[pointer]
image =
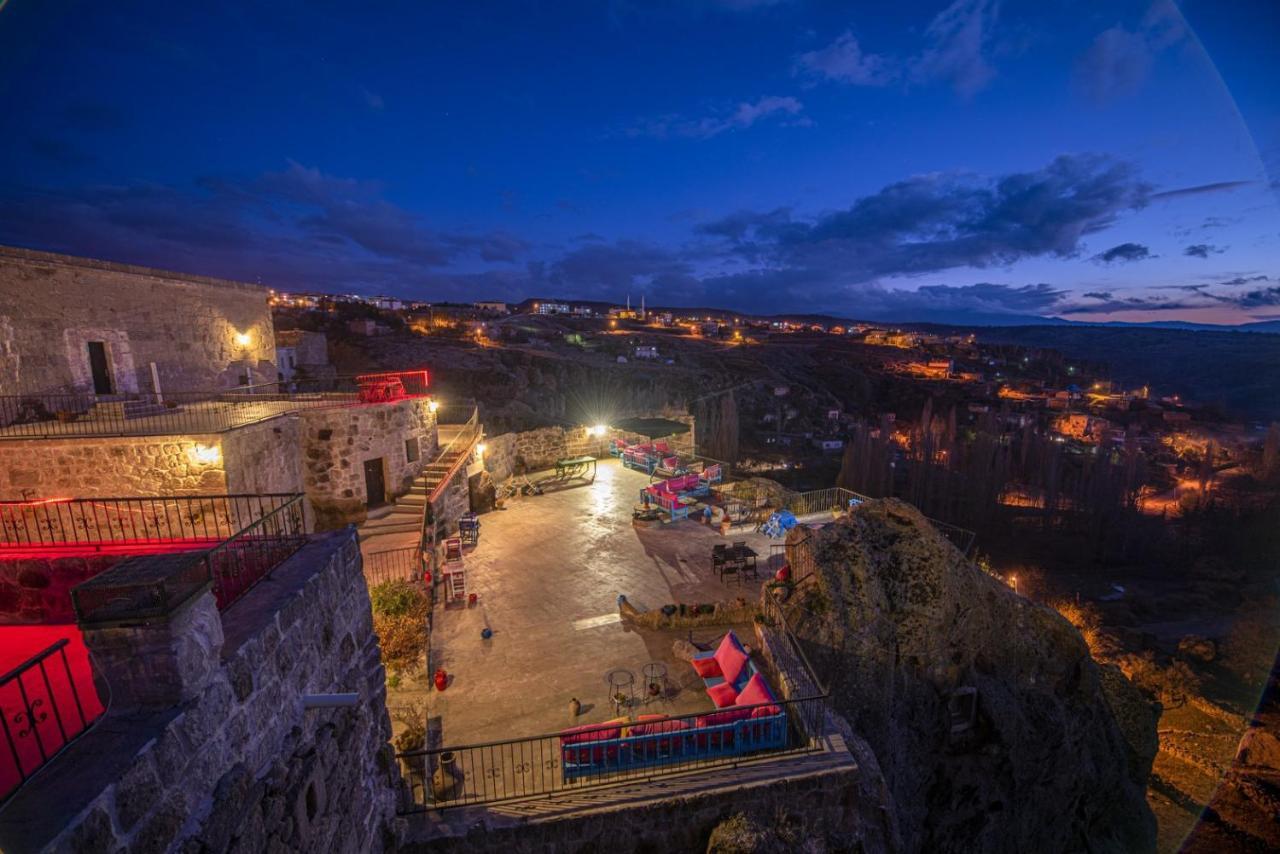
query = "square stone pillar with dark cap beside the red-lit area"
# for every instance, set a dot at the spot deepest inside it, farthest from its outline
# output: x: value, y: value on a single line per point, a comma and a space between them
x: 153, y: 629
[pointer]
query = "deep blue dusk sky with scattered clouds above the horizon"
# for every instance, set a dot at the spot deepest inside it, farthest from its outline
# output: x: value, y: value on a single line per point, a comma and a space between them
x: 1057, y: 158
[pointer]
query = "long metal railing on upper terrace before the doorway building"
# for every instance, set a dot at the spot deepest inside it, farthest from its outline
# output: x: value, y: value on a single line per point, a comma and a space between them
x: 44, y: 415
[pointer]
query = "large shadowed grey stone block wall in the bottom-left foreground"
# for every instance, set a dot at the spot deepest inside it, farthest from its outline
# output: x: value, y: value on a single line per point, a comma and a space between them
x: 240, y: 766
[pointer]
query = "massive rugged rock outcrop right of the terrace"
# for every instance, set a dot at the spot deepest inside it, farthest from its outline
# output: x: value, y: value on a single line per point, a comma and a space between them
x: 993, y: 724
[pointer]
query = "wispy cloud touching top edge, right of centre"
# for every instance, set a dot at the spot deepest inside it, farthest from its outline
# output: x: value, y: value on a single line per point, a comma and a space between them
x: 959, y: 38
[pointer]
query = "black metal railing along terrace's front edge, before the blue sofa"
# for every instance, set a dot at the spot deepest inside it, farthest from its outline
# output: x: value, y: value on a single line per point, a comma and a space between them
x: 546, y: 765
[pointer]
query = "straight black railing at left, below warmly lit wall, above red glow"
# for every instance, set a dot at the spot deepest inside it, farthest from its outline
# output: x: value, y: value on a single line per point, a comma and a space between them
x: 102, y: 523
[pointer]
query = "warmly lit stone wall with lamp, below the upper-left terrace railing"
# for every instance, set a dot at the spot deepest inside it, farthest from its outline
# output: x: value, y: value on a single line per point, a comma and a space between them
x: 109, y: 468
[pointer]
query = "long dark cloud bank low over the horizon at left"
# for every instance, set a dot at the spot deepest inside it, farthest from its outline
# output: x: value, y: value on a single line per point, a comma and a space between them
x: 299, y: 227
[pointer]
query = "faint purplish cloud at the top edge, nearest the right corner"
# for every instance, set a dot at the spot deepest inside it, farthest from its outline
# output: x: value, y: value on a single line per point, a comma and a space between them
x: 1119, y: 62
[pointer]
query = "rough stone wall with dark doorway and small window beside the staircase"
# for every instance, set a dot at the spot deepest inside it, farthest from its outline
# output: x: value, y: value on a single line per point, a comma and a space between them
x: 337, y: 442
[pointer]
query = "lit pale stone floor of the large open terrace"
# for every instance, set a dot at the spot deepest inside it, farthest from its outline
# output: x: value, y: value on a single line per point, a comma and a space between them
x: 548, y: 573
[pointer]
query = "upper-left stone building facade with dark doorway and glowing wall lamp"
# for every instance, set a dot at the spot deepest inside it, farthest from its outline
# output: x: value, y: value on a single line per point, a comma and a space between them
x: 53, y: 305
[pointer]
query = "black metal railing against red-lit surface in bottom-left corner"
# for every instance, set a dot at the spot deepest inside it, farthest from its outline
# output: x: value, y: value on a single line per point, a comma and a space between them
x: 44, y: 710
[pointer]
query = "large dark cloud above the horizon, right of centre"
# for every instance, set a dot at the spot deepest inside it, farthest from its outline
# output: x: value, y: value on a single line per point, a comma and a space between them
x: 941, y: 221
